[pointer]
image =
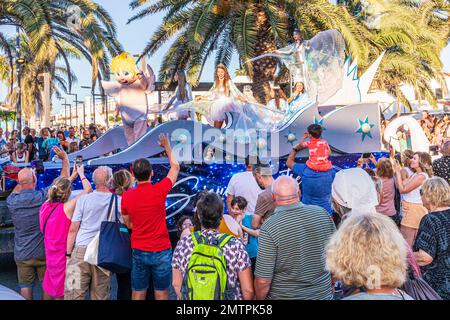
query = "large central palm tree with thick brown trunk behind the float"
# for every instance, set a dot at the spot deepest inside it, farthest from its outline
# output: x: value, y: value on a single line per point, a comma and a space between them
x: 250, y: 28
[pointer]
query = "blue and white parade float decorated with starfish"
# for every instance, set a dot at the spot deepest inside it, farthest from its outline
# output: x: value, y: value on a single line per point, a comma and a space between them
x: 338, y: 101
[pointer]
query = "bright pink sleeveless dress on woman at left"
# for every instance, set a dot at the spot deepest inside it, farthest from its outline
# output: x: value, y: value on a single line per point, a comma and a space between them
x: 55, y: 241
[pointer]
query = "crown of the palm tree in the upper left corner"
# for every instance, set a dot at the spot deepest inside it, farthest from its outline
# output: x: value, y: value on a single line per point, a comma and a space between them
x: 55, y: 29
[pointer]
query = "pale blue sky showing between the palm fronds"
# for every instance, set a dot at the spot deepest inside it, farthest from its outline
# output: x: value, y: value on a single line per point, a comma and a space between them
x: 134, y: 37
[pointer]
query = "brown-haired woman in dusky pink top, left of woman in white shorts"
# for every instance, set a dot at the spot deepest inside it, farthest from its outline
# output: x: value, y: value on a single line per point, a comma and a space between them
x: 385, y: 172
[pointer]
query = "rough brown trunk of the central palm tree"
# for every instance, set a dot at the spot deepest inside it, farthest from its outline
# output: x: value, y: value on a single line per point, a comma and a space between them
x: 263, y: 69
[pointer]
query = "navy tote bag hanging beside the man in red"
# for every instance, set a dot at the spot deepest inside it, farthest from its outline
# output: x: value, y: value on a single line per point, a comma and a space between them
x: 114, y: 245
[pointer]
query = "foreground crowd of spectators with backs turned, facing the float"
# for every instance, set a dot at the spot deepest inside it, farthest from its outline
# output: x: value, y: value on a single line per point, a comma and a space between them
x: 341, y: 234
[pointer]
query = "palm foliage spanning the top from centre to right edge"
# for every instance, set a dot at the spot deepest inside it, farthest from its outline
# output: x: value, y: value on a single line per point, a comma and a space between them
x: 412, y: 33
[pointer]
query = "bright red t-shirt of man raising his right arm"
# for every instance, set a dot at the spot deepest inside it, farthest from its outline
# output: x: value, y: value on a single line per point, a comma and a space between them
x: 146, y: 207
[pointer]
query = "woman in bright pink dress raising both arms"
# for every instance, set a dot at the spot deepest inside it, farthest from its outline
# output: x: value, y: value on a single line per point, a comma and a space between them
x: 55, y: 217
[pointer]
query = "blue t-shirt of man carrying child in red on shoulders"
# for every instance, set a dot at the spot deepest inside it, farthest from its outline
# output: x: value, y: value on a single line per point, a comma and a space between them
x: 316, y: 186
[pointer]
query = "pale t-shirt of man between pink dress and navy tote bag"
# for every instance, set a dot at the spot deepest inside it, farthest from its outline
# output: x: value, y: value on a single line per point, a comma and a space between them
x: 91, y: 210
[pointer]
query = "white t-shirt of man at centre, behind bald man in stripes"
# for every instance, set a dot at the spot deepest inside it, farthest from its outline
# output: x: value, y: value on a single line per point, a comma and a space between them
x: 243, y: 184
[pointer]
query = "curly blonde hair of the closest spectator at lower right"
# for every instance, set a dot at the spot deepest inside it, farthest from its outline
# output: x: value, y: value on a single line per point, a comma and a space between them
x: 368, y: 251
